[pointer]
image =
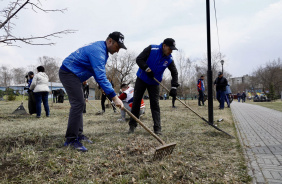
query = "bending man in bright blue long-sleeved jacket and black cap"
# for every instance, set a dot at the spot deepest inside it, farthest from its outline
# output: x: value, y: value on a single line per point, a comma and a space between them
x: 85, y: 62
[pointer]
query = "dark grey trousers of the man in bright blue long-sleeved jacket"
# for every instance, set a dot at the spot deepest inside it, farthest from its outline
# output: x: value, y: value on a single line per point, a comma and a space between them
x: 73, y: 87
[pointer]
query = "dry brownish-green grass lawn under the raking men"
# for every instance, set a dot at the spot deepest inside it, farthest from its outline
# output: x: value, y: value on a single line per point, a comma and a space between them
x: 31, y: 149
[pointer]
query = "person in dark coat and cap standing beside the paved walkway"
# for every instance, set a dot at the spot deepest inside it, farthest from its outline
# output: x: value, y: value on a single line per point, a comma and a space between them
x: 221, y: 83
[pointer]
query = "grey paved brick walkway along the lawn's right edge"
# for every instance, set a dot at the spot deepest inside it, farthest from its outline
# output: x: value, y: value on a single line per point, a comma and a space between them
x: 260, y: 132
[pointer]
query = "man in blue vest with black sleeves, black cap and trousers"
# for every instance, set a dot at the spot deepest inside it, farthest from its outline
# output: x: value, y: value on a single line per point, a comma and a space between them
x: 152, y: 63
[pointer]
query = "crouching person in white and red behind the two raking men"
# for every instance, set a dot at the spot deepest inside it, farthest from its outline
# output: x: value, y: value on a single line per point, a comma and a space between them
x: 127, y: 98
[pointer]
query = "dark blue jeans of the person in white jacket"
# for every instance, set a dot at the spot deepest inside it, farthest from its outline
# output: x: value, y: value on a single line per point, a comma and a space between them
x: 41, y: 96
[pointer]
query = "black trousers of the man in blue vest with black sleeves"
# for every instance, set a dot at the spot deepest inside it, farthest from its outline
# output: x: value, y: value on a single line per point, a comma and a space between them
x: 139, y: 90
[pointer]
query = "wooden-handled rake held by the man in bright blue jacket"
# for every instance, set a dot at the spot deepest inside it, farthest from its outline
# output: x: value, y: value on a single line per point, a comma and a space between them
x: 161, y: 151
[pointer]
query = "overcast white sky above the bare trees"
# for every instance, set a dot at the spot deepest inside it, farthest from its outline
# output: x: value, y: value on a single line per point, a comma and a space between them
x: 250, y: 31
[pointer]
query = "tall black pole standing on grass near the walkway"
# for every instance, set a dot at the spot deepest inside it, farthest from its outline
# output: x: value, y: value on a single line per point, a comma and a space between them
x: 209, y: 72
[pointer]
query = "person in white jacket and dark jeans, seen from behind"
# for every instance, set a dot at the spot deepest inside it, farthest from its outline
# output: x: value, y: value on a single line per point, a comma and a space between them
x: 41, y: 90
